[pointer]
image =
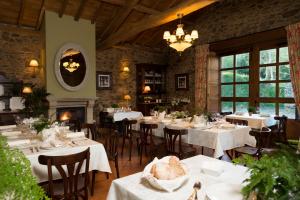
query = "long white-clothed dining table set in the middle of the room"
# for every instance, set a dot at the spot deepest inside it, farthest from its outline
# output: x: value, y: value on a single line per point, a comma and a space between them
x: 219, y: 136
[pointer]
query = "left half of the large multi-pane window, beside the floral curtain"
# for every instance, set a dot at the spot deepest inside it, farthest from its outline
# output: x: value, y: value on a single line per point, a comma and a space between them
x: 235, y: 82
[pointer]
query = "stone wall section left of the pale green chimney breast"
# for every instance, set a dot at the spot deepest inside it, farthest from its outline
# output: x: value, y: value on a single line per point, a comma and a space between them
x: 18, y: 47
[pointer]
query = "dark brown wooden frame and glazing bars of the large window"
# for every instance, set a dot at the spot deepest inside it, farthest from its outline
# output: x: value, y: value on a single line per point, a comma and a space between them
x: 254, y: 78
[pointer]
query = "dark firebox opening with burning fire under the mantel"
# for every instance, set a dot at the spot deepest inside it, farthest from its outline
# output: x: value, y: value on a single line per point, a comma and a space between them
x: 71, y: 113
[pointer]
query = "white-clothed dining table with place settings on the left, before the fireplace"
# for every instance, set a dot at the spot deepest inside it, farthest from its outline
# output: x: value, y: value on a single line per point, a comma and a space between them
x: 32, y: 145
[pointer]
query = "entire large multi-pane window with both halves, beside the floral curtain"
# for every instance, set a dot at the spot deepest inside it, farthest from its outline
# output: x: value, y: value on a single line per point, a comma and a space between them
x: 264, y: 82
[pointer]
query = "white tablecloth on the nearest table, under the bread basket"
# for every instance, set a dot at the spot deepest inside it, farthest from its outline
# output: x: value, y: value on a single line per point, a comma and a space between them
x: 133, y: 188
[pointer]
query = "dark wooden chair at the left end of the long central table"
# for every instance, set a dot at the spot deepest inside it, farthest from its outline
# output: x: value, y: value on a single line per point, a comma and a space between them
x: 145, y: 133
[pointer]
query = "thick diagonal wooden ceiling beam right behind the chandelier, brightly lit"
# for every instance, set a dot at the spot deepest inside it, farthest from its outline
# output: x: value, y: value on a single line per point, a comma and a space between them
x: 125, y: 32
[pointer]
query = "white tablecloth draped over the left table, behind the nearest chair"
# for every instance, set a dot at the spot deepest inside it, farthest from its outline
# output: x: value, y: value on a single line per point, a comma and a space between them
x: 98, y: 158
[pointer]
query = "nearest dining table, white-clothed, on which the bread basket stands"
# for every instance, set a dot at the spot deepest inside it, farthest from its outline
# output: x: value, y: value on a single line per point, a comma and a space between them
x: 225, y: 185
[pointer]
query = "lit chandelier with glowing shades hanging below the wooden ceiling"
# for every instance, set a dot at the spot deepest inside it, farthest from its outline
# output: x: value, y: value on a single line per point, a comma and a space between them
x: 179, y: 40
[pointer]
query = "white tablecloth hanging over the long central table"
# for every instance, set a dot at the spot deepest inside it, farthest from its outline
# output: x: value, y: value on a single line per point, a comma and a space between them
x: 215, y: 138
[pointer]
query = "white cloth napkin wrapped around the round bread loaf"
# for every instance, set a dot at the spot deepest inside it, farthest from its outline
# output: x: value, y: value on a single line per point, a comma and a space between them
x: 167, y: 185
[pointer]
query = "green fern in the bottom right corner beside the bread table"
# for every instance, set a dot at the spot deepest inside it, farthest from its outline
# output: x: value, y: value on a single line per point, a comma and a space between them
x: 275, y: 176
